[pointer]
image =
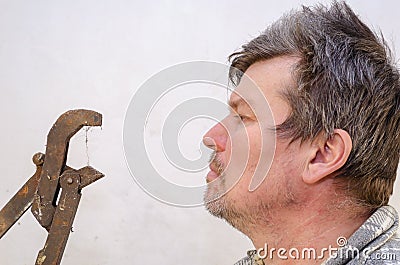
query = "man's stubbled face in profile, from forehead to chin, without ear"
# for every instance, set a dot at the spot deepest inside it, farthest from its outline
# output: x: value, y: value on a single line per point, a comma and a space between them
x: 244, y: 144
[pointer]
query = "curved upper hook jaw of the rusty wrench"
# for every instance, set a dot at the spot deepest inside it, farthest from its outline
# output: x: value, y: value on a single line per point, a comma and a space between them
x: 67, y: 125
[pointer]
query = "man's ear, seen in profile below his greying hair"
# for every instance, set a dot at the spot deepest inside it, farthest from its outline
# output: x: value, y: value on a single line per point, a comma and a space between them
x: 327, y: 155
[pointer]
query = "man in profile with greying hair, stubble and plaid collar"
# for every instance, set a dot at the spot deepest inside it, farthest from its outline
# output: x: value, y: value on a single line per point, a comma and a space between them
x: 334, y: 95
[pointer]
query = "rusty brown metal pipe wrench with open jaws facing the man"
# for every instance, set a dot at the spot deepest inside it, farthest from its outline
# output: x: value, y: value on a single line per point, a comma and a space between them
x: 42, y: 189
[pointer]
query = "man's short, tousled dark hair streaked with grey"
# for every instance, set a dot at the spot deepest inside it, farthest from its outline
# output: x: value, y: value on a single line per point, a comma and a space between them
x: 346, y: 79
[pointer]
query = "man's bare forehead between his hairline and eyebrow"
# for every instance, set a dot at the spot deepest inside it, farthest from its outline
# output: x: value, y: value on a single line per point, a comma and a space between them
x: 265, y: 79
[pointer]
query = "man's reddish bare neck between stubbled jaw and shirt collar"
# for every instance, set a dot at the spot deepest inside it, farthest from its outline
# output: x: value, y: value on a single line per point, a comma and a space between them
x: 311, y: 226
